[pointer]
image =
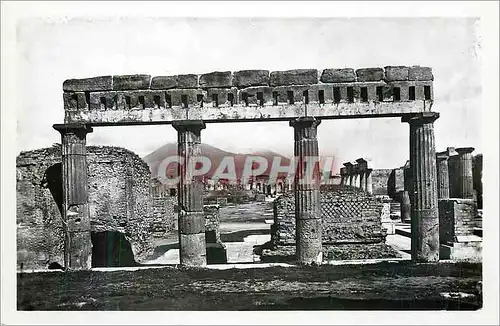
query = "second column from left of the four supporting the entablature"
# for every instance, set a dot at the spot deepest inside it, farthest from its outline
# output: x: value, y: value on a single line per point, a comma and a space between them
x: 190, y: 199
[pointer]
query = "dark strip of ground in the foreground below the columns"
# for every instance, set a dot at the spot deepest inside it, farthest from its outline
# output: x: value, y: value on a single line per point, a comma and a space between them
x: 383, y: 286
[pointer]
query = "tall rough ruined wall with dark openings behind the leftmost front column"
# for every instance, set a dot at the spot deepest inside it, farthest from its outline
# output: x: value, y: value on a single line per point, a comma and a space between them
x: 119, y: 200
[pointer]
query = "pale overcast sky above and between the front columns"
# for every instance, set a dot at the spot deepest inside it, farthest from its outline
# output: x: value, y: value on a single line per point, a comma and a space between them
x: 51, y: 51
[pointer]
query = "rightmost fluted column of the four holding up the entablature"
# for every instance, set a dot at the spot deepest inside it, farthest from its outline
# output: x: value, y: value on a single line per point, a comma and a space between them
x: 424, y: 209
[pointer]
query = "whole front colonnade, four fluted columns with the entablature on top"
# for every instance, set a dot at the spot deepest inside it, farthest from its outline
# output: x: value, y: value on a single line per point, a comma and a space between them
x: 302, y: 97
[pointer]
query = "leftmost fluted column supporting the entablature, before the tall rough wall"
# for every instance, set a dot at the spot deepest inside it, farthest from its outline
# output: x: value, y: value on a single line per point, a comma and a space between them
x: 75, y: 205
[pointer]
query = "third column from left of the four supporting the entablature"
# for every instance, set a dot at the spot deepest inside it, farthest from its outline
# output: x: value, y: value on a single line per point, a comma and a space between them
x: 307, y: 202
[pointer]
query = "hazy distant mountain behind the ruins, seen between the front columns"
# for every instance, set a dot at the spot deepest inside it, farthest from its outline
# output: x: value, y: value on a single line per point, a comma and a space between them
x: 215, y: 155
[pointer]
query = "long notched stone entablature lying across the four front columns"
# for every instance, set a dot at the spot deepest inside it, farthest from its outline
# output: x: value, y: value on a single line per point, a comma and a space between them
x: 249, y: 95
